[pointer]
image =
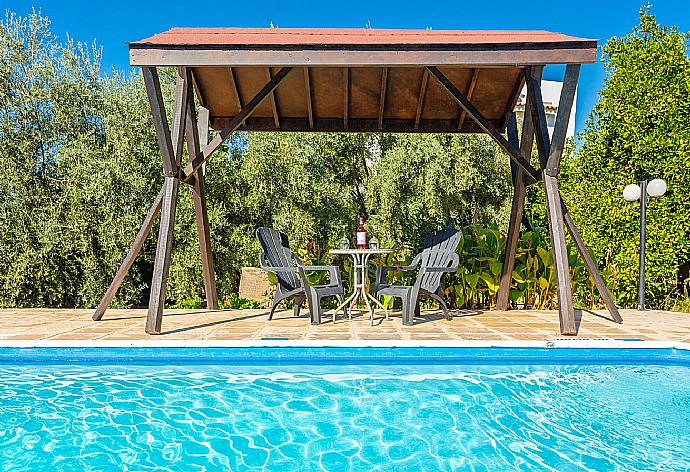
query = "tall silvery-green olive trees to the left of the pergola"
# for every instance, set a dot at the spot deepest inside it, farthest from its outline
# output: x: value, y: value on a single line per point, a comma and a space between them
x: 72, y: 143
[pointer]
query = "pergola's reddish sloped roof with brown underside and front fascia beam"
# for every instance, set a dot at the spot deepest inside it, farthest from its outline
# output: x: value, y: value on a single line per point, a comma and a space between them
x: 358, y: 79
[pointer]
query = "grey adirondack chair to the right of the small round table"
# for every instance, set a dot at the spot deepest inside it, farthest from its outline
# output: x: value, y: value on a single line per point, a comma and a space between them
x: 437, y: 257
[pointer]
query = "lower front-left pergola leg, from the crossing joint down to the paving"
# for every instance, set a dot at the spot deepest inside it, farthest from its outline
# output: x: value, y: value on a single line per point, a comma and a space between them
x: 163, y: 252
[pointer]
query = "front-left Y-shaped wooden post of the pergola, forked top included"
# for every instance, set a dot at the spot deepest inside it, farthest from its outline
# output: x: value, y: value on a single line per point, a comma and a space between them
x: 170, y: 189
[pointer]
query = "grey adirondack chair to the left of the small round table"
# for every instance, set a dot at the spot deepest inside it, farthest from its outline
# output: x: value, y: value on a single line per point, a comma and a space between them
x: 277, y: 257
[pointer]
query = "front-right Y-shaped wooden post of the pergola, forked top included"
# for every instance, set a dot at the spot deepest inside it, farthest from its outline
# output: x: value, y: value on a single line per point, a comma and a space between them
x: 550, y: 162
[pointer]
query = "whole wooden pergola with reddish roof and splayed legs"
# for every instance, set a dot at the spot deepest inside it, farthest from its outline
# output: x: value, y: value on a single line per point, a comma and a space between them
x: 364, y: 80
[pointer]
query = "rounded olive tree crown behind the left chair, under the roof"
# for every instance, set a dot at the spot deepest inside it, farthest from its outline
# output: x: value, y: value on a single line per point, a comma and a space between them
x: 306, y: 185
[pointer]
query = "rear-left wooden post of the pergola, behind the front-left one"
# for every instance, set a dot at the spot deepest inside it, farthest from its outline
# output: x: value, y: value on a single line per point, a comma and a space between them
x: 196, y: 131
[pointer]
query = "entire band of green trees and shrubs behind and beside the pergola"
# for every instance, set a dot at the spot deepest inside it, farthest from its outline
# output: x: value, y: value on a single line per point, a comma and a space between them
x: 81, y: 166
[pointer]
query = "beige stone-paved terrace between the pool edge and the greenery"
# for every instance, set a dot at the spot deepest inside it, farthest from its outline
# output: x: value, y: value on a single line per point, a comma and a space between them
x: 70, y: 325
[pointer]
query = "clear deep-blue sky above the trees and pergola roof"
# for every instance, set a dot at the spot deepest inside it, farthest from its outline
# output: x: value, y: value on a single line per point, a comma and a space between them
x: 112, y: 24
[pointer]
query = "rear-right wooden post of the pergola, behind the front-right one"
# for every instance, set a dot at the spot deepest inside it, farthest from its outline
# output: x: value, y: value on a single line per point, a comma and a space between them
x: 518, y: 205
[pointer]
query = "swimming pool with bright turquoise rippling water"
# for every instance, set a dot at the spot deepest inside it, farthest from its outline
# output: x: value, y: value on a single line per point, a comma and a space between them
x: 341, y: 408
